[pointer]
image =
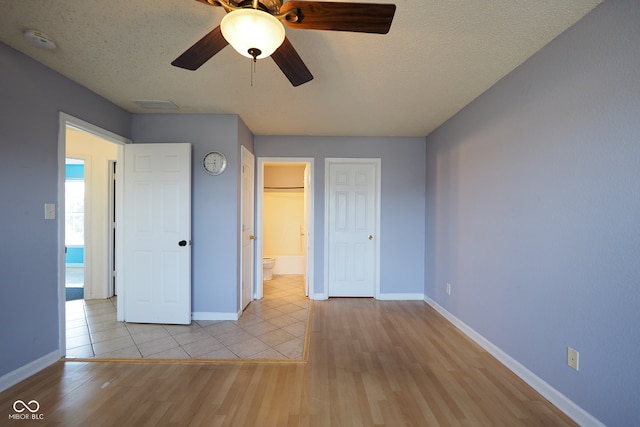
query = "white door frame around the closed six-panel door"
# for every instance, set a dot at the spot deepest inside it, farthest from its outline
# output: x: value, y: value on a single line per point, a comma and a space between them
x: 377, y: 163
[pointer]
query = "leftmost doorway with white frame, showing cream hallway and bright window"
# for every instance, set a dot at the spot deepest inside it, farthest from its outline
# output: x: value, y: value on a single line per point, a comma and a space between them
x: 96, y: 150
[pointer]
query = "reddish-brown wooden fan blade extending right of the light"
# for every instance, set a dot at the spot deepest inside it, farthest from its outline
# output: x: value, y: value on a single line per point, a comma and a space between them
x: 356, y: 17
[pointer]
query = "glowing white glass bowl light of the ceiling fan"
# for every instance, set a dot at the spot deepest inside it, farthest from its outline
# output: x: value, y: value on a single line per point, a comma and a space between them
x: 250, y: 31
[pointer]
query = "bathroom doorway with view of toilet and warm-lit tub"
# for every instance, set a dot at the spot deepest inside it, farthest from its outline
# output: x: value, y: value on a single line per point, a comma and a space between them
x: 284, y: 223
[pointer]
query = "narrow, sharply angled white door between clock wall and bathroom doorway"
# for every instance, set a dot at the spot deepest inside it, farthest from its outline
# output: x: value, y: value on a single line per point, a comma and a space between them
x: 248, y: 234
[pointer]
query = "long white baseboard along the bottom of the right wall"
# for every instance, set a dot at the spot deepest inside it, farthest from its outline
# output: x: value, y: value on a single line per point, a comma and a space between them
x: 562, y: 402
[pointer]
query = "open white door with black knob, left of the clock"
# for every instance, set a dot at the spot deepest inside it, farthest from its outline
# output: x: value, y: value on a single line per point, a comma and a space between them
x: 156, y: 279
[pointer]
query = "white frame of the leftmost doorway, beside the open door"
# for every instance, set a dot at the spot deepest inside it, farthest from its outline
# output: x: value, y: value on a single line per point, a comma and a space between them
x: 65, y: 120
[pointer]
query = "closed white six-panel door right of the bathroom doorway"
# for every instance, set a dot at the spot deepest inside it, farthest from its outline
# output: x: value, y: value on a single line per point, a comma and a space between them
x: 352, y: 227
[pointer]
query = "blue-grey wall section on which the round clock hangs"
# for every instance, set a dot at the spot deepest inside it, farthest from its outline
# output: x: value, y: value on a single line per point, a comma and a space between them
x: 215, y: 200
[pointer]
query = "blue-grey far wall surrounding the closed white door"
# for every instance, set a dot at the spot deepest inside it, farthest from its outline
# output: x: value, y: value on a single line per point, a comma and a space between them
x: 402, y: 200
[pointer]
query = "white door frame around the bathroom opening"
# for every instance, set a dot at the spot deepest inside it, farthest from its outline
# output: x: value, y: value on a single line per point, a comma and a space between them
x: 309, y: 266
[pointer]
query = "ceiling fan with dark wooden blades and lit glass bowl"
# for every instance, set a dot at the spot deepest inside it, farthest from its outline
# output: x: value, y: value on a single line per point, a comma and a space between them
x: 316, y: 15
